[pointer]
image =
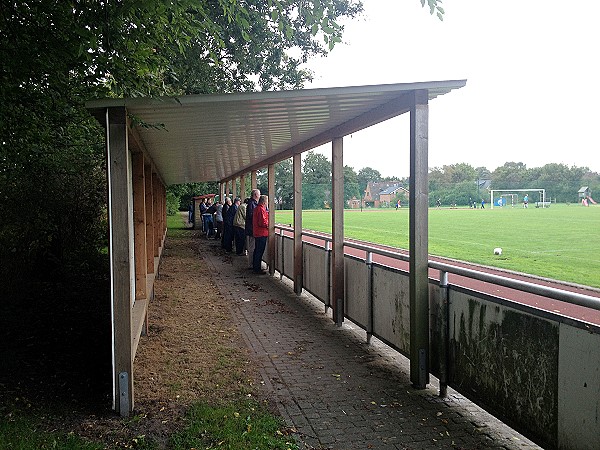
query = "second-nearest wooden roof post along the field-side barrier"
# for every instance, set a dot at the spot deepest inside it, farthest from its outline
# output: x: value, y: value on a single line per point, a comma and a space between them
x: 337, y: 228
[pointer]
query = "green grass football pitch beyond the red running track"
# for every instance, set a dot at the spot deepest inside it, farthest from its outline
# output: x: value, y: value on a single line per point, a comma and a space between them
x: 561, y: 242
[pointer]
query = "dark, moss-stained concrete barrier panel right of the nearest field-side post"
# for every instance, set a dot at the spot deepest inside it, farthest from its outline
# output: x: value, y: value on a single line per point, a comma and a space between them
x: 506, y: 360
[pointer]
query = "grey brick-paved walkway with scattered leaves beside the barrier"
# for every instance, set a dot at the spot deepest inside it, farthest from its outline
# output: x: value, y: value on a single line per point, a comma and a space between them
x: 337, y: 391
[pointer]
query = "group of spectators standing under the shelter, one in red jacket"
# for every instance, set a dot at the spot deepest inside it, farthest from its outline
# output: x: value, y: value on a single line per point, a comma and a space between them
x: 244, y: 225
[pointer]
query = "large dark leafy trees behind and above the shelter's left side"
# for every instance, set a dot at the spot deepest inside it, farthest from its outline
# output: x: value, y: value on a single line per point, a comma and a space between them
x: 56, y: 55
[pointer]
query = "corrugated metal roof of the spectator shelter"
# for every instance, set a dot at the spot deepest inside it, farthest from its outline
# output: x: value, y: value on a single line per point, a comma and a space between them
x: 214, y: 137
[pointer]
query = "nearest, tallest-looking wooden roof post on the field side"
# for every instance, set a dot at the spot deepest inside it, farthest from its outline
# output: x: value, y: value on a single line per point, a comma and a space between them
x: 418, y: 245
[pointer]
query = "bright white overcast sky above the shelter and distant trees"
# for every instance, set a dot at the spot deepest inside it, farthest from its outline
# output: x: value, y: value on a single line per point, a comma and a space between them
x: 532, y: 73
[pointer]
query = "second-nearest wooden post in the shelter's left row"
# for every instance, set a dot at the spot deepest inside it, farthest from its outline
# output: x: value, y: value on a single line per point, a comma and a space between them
x: 139, y: 226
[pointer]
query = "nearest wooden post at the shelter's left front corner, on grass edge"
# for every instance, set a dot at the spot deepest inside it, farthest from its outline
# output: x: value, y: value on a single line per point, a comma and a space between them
x: 120, y: 217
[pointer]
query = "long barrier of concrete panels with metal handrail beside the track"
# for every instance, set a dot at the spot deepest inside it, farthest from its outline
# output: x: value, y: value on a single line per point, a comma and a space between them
x: 538, y: 371
